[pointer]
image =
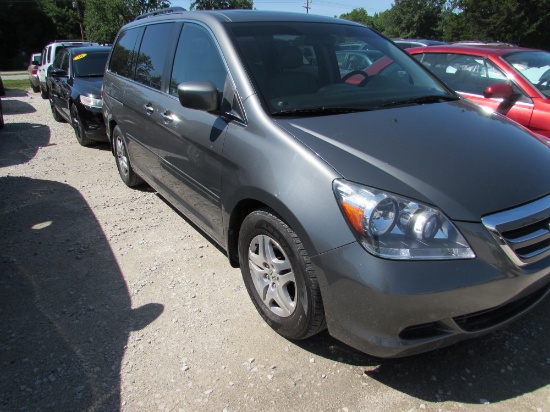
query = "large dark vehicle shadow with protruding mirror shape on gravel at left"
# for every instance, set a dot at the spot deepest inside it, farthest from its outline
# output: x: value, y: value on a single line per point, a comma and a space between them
x: 65, y: 309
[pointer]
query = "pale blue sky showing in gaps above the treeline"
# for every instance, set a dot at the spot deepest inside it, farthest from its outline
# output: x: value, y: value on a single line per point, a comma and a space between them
x: 329, y: 8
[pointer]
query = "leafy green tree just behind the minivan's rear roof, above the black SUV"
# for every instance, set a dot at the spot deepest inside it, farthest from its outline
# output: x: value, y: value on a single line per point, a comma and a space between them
x: 103, y: 19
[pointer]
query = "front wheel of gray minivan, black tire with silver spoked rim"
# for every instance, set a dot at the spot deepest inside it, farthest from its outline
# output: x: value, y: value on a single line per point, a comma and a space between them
x: 279, y: 276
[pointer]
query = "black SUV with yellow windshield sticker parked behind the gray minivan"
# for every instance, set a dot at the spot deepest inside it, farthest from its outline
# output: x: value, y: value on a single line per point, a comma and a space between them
x: 74, y: 84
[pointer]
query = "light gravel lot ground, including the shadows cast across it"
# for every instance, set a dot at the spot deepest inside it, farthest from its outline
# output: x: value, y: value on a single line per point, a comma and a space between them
x: 110, y: 300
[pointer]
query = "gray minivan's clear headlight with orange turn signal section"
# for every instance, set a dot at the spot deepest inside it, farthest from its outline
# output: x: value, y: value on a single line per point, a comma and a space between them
x: 395, y: 227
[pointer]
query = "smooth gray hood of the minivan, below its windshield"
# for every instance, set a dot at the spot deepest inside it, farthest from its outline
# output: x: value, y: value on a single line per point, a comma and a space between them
x: 453, y: 155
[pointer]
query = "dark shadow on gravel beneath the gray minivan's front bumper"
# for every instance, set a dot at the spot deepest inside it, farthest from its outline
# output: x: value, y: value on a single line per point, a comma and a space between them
x: 508, y: 363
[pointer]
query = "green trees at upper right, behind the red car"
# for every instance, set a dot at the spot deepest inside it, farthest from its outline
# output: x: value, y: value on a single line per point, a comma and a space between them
x: 522, y: 22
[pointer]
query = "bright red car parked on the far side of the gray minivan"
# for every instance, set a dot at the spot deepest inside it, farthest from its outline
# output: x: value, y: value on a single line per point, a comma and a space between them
x: 512, y: 81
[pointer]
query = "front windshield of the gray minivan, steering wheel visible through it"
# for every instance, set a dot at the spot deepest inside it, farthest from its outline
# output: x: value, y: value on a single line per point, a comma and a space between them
x: 307, y: 69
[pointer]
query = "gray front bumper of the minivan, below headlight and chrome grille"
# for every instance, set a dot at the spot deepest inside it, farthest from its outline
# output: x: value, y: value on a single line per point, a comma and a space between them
x: 397, y: 308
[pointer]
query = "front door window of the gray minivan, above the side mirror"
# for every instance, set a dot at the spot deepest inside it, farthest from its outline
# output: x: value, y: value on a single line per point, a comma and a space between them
x: 197, y: 59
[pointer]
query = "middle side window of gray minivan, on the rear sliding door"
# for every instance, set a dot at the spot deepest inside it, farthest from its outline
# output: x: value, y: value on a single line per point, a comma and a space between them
x: 152, y: 54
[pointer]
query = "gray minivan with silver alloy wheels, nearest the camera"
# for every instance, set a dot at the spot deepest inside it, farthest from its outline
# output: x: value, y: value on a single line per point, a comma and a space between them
x: 391, y: 211
